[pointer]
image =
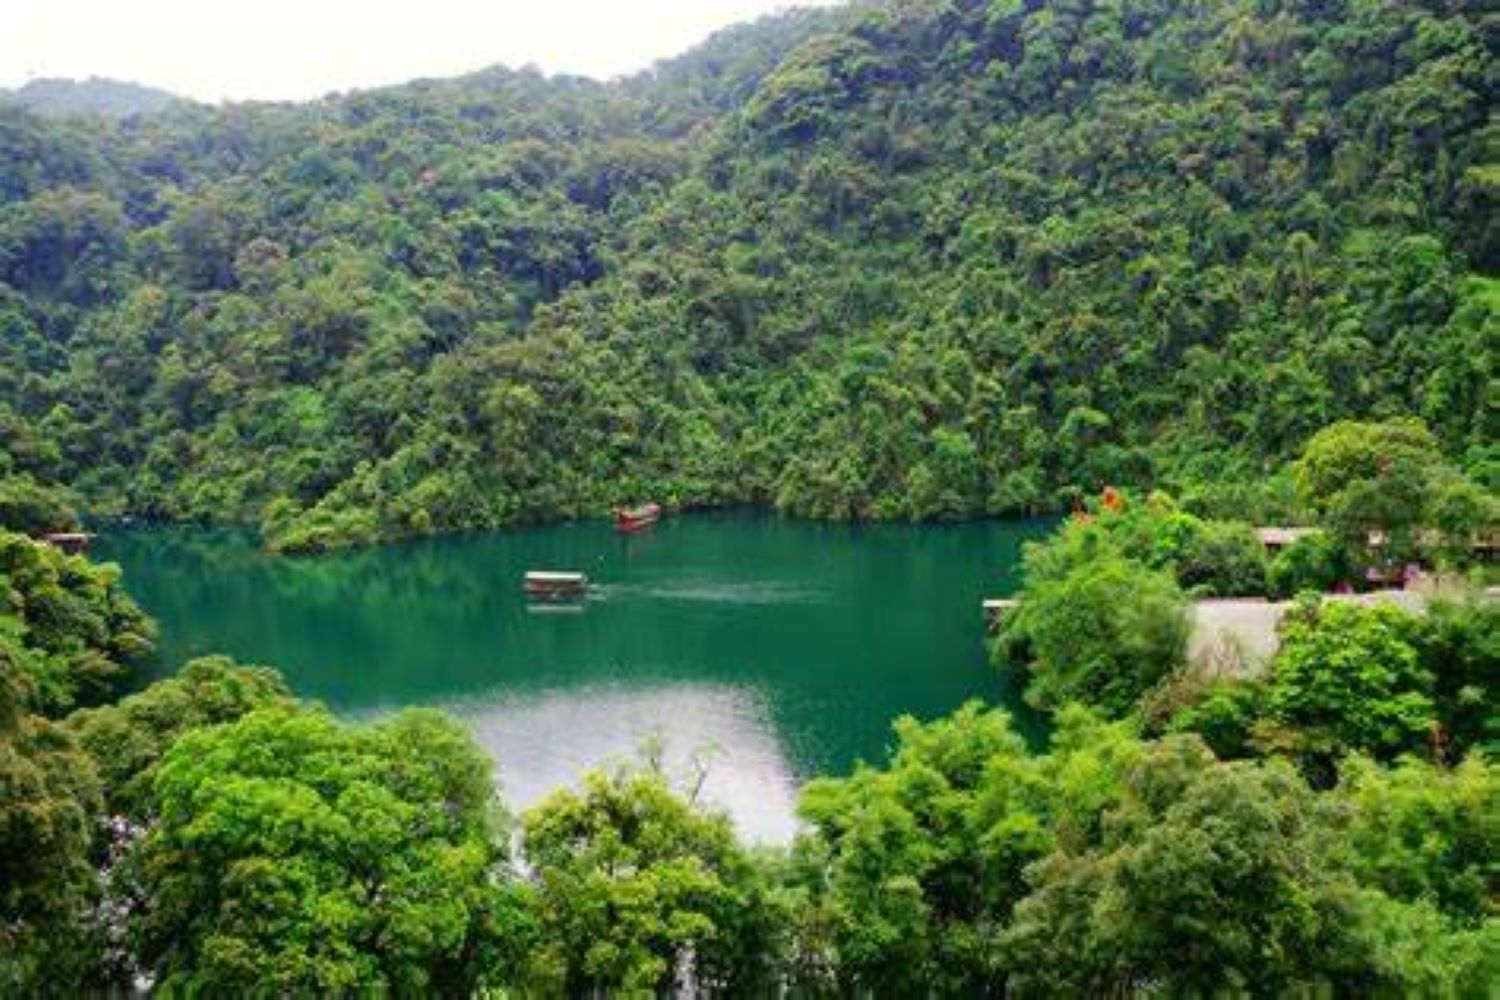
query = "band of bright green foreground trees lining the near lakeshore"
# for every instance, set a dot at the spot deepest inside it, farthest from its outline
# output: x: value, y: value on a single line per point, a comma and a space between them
x: 1334, y: 824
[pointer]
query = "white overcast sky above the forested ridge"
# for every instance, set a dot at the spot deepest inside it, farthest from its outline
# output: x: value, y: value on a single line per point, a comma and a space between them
x: 272, y: 50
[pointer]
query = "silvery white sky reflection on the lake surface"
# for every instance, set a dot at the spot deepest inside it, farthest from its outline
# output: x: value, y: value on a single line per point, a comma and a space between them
x: 547, y: 741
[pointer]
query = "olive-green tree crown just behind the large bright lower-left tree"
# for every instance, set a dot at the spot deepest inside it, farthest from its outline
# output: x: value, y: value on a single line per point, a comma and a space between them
x: 128, y: 740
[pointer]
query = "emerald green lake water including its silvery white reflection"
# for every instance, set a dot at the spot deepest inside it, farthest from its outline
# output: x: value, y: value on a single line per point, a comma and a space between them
x: 775, y: 650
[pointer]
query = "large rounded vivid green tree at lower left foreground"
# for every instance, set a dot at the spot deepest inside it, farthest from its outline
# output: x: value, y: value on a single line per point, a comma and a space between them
x: 296, y: 854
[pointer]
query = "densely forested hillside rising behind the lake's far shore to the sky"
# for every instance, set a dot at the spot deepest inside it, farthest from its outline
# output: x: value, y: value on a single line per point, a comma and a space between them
x: 908, y: 259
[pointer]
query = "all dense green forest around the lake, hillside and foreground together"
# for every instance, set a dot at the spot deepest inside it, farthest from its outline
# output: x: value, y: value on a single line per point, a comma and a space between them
x: 898, y: 259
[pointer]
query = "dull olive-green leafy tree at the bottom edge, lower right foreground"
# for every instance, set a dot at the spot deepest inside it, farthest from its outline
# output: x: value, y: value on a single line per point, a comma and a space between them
x: 1208, y: 870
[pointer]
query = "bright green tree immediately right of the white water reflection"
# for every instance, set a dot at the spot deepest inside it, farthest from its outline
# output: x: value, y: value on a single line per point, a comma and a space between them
x: 907, y: 867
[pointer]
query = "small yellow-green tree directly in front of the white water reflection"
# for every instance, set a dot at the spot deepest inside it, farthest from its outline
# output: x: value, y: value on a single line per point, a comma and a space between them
x: 634, y: 882
